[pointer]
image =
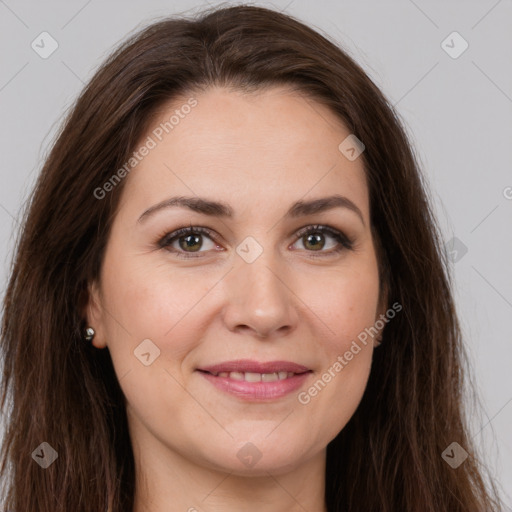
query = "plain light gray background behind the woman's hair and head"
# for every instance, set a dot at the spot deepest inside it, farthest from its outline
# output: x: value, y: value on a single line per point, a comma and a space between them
x: 457, y: 112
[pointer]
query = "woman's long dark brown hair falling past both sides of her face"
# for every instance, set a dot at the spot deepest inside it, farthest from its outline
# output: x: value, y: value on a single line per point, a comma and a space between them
x: 58, y: 389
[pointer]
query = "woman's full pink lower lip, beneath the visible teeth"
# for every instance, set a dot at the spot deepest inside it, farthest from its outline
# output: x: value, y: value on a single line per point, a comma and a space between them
x: 260, y: 391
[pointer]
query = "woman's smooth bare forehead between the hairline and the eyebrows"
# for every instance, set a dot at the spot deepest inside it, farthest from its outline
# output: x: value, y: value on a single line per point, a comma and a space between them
x: 271, y: 147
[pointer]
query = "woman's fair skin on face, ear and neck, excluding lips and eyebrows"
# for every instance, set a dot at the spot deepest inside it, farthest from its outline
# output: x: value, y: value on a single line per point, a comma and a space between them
x: 259, y: 153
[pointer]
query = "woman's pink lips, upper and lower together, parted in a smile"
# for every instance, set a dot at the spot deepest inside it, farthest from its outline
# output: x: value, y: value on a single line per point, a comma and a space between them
x: 256, y: 391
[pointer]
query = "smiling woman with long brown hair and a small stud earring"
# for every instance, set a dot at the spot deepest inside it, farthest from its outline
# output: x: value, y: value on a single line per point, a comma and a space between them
x: 230, y: 223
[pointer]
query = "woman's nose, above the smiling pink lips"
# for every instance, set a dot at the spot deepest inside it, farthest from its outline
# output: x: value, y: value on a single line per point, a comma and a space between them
x: 260, y: 298
